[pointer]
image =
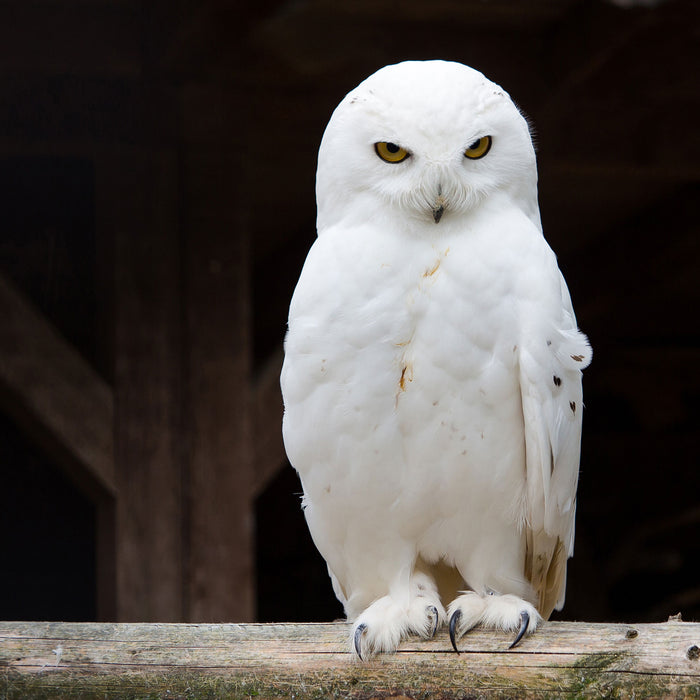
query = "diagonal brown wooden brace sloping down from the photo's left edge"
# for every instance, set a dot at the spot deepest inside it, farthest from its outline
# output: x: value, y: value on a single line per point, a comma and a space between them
x: 54, y: 394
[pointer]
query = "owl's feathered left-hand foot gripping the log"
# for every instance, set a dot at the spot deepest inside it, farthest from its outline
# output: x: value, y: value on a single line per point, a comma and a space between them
x: 385, y: 623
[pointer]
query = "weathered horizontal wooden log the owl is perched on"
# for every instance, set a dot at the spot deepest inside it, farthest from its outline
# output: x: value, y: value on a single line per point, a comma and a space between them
x: 563, y: 659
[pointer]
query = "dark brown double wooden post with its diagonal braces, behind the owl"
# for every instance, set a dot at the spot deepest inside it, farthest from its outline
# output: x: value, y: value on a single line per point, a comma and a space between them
x: 175, y: 528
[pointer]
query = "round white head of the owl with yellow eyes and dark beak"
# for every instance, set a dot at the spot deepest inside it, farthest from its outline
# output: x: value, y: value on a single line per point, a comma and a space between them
x: 424, y: 143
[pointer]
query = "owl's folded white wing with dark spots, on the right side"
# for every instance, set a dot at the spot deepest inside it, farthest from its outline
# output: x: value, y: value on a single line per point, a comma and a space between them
x: 550, y: 385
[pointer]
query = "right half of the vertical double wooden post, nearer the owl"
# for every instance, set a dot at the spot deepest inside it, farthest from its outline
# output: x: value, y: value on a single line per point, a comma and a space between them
x: 220, y: 560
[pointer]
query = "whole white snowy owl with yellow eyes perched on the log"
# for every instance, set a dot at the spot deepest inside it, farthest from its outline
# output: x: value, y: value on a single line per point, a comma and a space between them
x: 432, y: 372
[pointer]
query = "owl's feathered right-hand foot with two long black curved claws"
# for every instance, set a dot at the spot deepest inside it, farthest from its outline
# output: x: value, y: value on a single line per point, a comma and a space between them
x: 504, y: 612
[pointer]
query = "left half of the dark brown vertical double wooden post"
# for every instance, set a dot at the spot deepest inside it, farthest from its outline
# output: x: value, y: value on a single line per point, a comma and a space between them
x: 137, y: 205
